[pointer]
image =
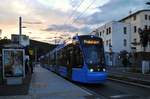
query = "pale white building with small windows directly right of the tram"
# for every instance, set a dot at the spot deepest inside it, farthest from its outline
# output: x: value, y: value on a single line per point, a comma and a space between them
x: 116, y: 38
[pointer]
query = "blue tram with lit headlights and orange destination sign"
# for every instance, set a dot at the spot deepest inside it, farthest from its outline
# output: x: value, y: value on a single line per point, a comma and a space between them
x: 82, y: 60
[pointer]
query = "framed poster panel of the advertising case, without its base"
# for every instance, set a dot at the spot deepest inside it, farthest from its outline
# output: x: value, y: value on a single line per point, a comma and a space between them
x: 13, y: 63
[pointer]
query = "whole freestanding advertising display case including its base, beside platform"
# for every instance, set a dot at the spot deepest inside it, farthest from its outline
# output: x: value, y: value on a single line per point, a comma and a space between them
x: 13, y: 64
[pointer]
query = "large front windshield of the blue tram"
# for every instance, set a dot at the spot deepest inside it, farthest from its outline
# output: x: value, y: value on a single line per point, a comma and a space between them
x: 93, y: 54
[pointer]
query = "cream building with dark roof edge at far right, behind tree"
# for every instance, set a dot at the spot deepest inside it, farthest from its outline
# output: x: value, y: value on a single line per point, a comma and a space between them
x: 139, y: 19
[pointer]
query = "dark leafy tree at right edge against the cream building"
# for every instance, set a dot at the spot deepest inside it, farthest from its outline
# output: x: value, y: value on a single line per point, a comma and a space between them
x: 144, y: 37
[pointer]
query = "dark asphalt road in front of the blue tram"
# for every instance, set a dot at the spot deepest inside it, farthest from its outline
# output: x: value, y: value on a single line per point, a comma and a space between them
x: 116, y: 90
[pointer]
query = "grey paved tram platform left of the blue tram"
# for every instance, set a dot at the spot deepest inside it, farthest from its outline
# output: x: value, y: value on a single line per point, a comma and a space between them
x: 47, y: 85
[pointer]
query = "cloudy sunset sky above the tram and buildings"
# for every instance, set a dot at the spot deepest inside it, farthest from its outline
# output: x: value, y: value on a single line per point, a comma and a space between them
x: 50, y: 20
